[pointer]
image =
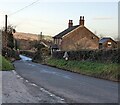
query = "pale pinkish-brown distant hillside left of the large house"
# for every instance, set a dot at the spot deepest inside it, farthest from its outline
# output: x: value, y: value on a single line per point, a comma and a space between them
x: 31, y: 37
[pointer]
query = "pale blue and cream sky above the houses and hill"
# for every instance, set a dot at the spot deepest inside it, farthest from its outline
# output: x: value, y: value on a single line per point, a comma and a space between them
x: 51, y: 17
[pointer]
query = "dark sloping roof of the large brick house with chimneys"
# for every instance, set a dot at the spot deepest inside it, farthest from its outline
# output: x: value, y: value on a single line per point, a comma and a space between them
x: 61, y: 34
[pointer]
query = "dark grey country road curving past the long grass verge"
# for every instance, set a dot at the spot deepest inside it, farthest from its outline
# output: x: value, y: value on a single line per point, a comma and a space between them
x: 69, y: 86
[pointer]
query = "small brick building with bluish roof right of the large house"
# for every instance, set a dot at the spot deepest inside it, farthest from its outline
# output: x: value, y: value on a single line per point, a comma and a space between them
x: 107, y: 43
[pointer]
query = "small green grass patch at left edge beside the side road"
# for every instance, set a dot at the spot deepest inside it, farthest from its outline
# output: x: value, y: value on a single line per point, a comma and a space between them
x: 5, y: 65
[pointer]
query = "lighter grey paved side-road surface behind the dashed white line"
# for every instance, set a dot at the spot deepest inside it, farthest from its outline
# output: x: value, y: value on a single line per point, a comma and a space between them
x: 16, y: 89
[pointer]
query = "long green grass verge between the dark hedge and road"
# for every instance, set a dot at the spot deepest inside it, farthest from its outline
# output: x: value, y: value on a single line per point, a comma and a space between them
x: 107, y: 71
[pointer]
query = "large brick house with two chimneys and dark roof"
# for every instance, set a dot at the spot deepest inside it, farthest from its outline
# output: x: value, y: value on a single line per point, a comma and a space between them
x: 76, y: 37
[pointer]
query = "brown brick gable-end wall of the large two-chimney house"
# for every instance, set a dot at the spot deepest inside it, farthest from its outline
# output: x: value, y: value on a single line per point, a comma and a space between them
x: 80, y: 38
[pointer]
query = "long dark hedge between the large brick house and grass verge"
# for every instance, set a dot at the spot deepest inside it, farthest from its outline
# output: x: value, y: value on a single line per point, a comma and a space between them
x: 111, y: 55
